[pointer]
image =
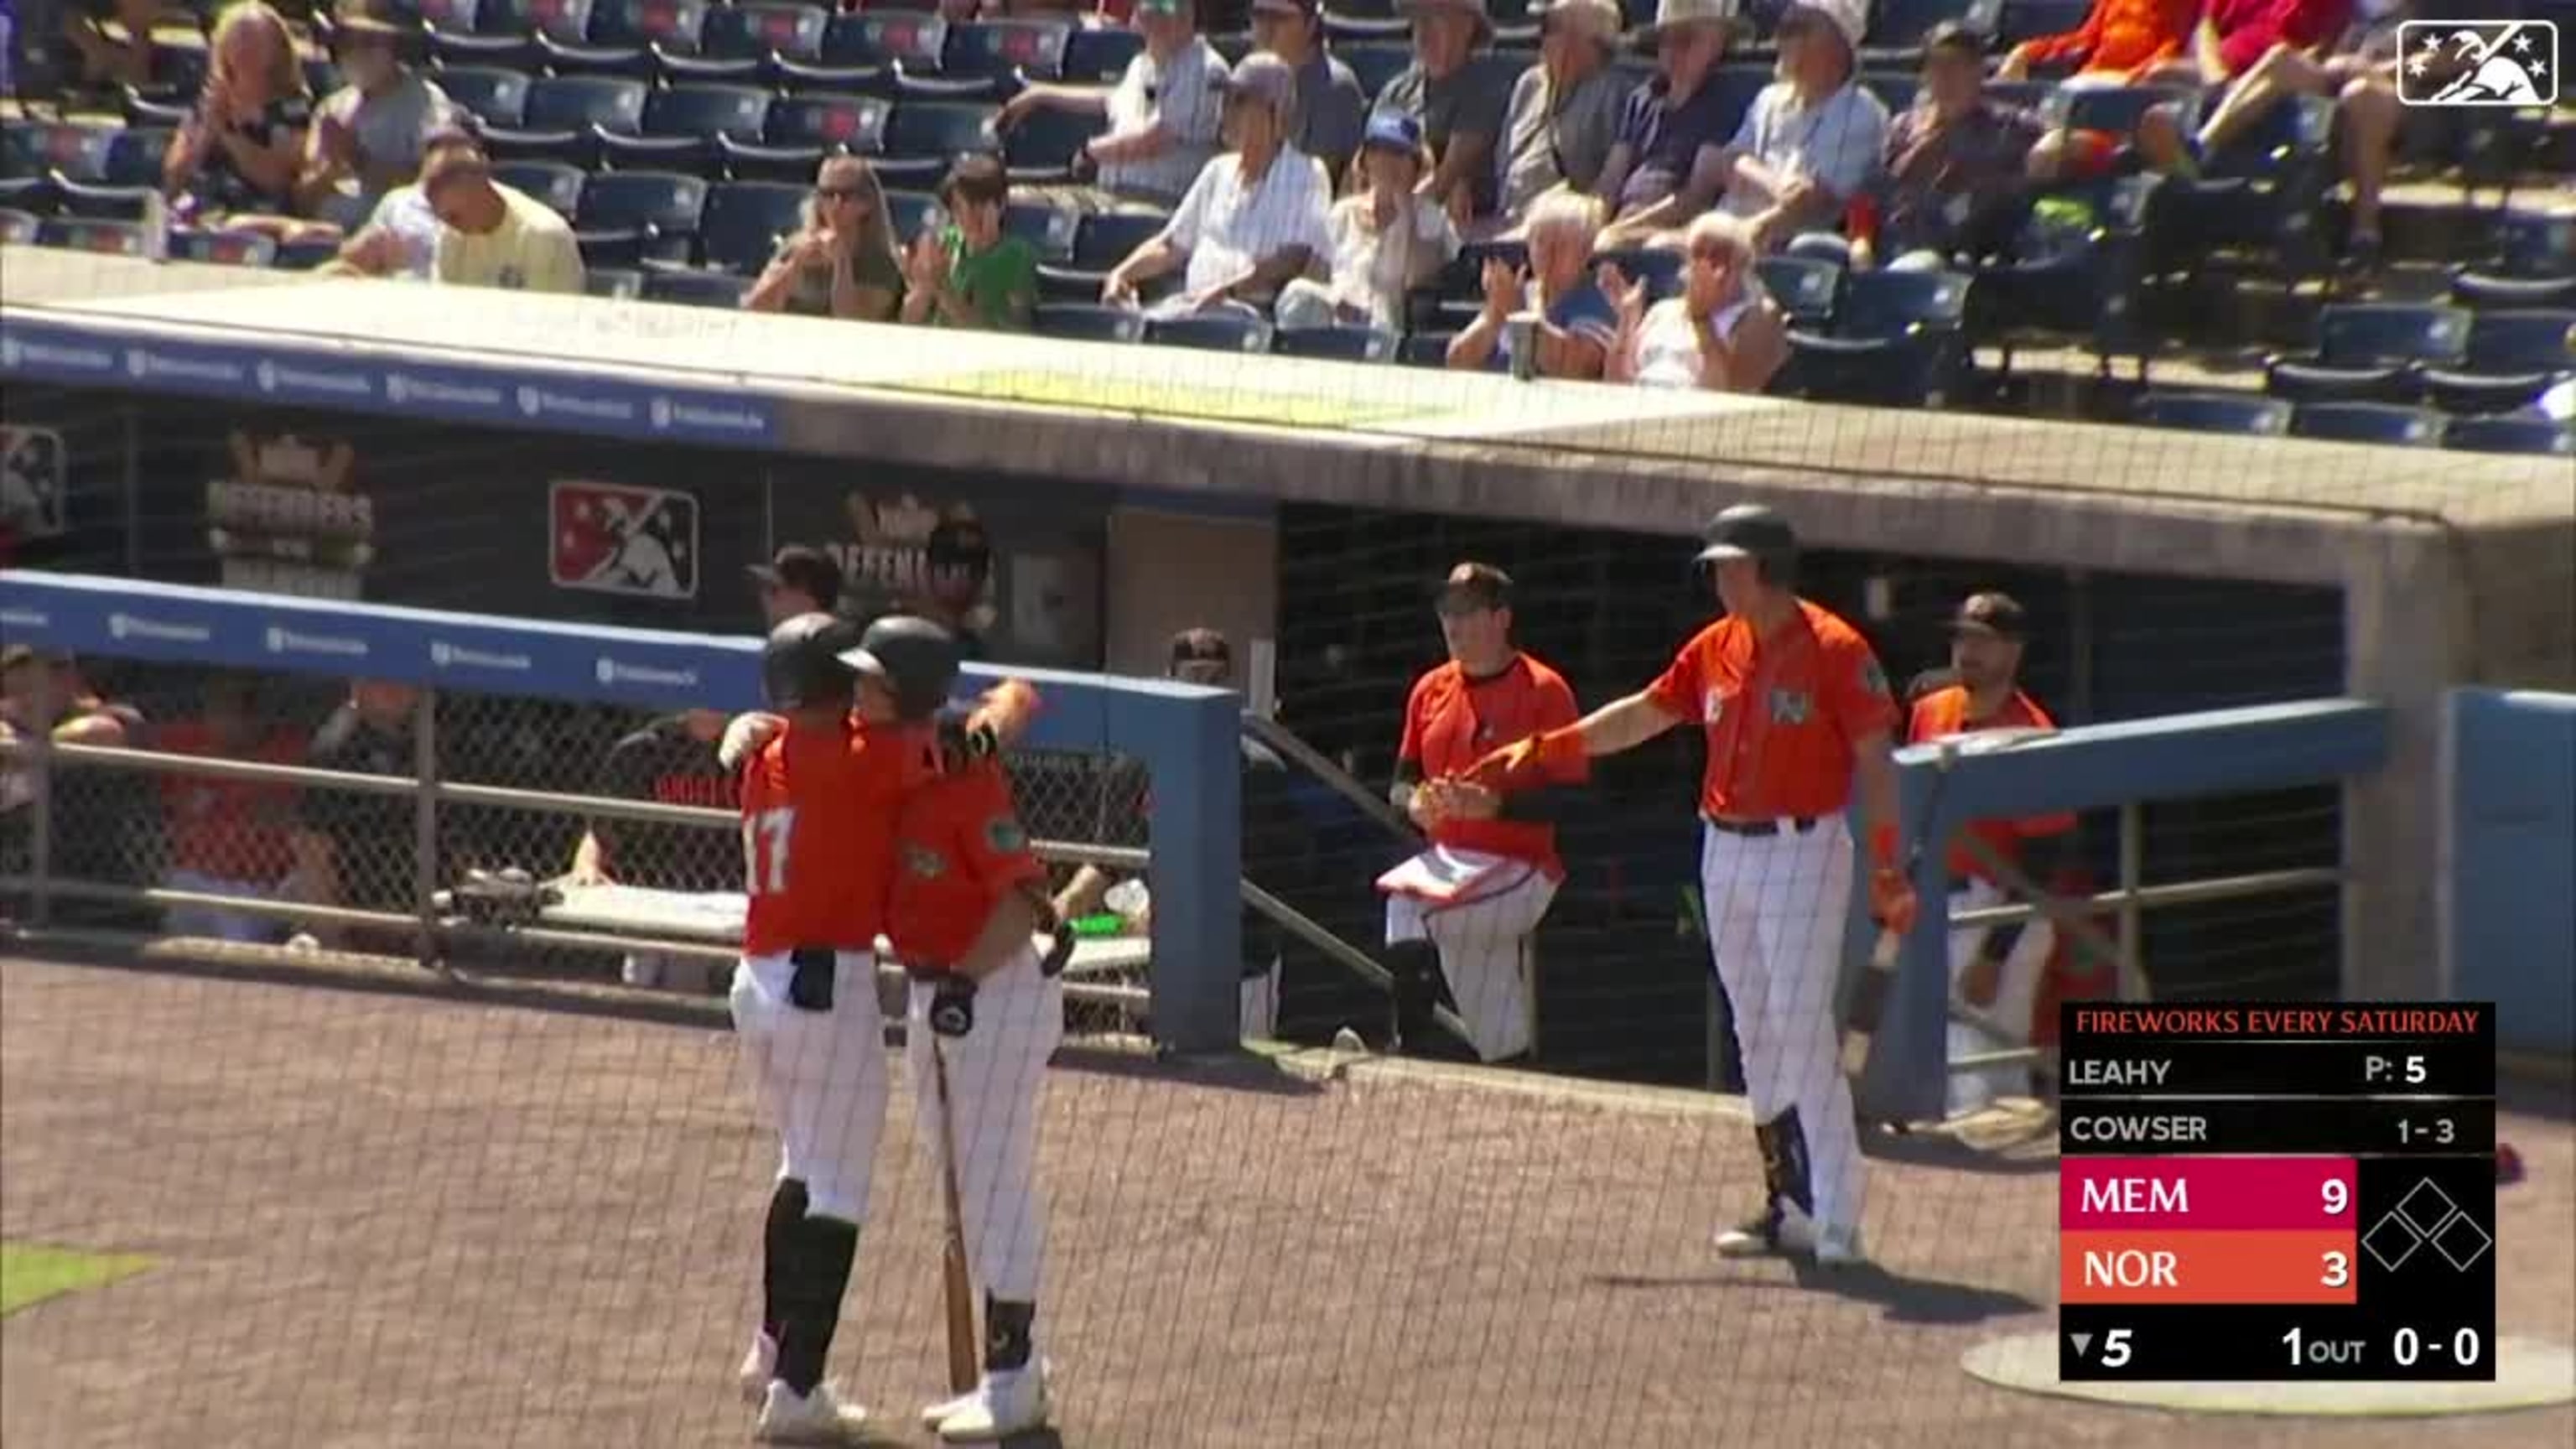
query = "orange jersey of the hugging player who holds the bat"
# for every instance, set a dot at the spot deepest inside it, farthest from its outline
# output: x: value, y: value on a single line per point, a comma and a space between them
x: 960, y: 852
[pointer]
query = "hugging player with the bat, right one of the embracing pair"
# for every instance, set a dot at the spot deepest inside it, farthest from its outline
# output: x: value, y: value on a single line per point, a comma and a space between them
x: 985, y: 1017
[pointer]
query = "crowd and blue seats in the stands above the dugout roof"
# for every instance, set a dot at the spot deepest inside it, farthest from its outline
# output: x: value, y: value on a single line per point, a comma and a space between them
x: 1810, y: 197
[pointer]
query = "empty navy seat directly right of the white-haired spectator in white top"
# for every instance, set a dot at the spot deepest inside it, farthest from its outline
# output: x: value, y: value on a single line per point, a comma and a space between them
x: 1897, y: 339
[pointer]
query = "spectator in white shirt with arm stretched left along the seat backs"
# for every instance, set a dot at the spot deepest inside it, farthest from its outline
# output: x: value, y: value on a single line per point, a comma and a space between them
x: 1163, y: 112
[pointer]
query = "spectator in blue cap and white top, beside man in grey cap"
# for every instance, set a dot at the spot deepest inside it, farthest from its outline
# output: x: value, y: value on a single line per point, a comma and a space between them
x: 1387, y: 238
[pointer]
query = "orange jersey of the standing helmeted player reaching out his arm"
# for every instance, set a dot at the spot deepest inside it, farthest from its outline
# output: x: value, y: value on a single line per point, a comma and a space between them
x: 1784, y: 715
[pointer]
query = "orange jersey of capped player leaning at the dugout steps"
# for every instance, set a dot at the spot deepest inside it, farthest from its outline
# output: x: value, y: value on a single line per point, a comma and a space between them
x: 1454, y: 721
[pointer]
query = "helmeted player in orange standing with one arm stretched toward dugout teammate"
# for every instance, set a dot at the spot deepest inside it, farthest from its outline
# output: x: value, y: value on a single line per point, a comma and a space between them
x: 1797, y: 715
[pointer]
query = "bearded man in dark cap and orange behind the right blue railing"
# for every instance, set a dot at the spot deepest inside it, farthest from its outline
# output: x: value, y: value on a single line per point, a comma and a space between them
x: 1987, y: 651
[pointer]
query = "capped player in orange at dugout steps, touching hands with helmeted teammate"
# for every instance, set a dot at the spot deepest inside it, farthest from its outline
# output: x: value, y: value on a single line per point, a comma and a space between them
x: 1467, y: 906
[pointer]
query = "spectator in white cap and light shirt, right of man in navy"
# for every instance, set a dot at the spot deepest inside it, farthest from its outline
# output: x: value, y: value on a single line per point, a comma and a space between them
x: 1812, y: 141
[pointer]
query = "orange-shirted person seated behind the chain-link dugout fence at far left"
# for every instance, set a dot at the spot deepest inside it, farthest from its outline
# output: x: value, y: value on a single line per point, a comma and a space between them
x: 228, y: 837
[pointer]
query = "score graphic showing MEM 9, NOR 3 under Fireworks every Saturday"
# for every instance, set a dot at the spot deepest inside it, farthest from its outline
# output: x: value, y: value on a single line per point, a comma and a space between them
x: 2278, y: 1192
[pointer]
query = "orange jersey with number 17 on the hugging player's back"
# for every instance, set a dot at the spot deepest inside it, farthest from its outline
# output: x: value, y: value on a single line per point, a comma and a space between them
x: 818, y: 837
